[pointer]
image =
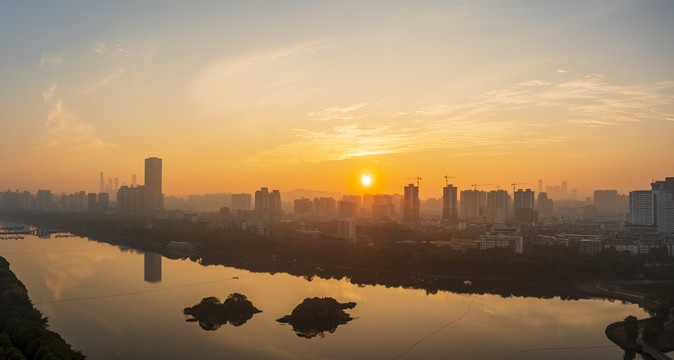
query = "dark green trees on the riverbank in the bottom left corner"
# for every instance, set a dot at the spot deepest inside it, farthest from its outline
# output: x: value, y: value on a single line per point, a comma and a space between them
x: 24, y: 333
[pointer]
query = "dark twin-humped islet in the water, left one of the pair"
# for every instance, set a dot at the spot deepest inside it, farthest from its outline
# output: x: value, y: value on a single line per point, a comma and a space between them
x: 211, y: 314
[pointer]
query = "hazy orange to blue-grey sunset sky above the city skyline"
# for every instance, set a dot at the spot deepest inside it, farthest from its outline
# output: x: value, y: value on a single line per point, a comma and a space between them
x: 235, y: 95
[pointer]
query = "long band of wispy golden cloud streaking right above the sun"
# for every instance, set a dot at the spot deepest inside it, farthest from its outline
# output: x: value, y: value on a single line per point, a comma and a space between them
x: 492, y: 120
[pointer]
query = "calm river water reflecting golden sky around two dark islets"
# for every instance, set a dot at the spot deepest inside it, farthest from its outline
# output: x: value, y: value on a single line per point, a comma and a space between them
x: 114, y: 303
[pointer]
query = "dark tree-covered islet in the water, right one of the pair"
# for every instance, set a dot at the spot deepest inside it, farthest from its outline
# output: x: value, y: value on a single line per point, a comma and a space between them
x: 315, y: 316
